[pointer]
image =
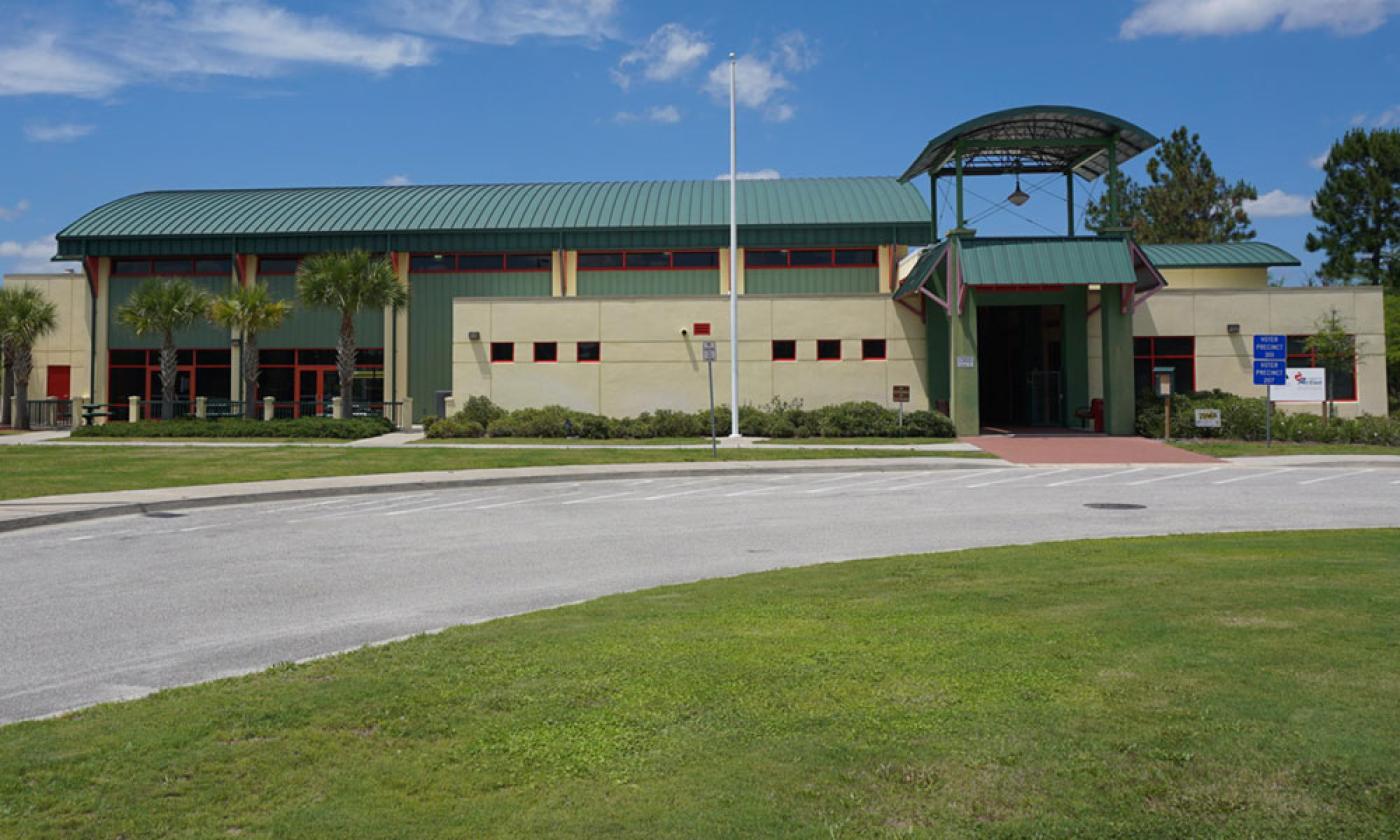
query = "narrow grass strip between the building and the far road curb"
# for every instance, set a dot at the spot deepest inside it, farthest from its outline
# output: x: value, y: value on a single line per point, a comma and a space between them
x: 45, y: 471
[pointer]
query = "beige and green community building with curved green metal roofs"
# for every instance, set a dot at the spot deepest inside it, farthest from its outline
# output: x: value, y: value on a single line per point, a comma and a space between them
x: 600, y: 296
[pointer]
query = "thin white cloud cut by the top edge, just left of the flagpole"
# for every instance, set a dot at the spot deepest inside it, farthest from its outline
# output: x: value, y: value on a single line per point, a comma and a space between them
x: 506, y: 22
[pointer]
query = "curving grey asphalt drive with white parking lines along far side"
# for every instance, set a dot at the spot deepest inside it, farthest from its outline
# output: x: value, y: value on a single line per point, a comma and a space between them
x: 118, y: 608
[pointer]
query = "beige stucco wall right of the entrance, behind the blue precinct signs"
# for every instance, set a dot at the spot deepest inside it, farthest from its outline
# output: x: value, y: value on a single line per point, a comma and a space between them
x: 1224, y: 360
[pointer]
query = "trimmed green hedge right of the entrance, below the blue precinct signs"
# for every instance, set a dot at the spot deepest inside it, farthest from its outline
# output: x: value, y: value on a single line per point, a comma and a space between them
x: 1242, y: 419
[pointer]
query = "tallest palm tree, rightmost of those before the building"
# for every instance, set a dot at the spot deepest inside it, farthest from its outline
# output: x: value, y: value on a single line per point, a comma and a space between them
x: 349, y: 283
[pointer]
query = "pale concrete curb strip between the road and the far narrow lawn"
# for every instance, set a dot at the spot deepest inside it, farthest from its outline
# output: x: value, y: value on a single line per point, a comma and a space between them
x: 120, y: 509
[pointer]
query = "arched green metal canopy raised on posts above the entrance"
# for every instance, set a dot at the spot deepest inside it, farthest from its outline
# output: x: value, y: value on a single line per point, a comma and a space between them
x: 1034, y: 139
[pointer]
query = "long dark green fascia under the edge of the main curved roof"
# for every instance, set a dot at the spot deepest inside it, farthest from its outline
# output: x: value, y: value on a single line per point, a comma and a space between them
x: 419, y: 243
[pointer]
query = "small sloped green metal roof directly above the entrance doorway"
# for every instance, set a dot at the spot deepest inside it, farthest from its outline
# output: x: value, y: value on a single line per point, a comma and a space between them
x: 1046, y: 261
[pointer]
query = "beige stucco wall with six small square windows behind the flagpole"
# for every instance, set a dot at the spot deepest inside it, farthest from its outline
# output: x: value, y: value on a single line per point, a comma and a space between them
x: 649, y: 365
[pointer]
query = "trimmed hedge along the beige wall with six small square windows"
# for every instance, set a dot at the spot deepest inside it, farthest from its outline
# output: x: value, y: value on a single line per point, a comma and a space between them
x: 779, y: 421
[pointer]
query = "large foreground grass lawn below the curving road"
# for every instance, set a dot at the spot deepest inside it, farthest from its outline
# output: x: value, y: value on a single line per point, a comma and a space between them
x: 1224, y: 687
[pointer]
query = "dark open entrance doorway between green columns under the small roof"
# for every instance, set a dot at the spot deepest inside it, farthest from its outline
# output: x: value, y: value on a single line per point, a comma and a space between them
x: 1021, y: 366
